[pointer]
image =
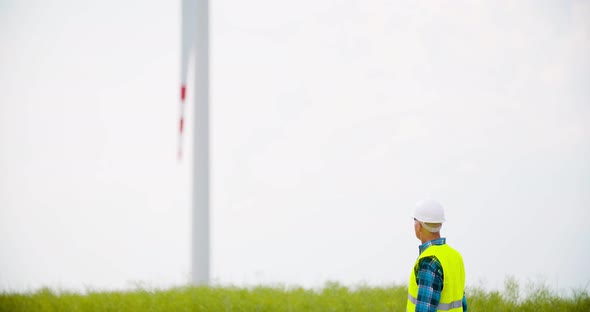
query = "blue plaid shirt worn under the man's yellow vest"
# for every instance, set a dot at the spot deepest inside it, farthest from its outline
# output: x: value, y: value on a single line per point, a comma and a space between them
x: 429, y: 277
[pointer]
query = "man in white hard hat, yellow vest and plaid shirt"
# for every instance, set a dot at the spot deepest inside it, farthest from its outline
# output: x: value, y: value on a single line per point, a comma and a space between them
x: 437, y: 282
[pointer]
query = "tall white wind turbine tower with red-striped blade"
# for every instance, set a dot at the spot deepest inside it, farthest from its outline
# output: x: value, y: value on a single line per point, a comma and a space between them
x: 195, y: 42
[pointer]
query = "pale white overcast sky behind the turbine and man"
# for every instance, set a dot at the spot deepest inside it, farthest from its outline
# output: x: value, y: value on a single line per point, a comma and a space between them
x: 330, y: 119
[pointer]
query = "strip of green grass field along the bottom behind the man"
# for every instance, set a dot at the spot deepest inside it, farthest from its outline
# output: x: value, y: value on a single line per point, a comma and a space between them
x: 333, y: 297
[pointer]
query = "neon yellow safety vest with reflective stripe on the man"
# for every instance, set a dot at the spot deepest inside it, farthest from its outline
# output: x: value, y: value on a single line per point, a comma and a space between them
x: 451, y: 297
